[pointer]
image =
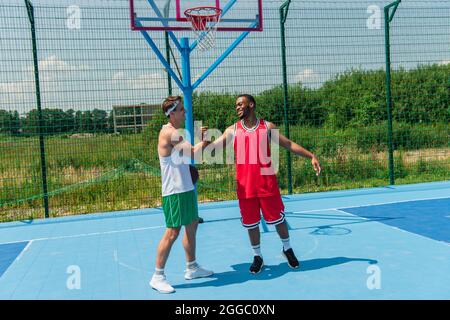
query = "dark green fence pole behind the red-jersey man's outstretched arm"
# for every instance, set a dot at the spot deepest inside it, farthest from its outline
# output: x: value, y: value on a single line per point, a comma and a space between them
x: 283, y: 16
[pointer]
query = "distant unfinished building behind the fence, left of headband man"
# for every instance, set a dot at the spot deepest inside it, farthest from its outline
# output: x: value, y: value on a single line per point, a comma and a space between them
x: 132, y: 118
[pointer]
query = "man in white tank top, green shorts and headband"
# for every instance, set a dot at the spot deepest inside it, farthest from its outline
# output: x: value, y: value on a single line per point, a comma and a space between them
x: 178, y: 195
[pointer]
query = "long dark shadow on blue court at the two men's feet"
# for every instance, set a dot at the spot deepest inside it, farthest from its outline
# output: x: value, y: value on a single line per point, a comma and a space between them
x: 241, y: 274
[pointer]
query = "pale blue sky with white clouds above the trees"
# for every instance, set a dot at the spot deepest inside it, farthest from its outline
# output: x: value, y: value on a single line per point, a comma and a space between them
x: 89, y: 58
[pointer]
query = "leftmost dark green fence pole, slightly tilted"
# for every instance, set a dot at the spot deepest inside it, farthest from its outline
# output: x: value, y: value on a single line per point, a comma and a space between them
x: 30, y: 11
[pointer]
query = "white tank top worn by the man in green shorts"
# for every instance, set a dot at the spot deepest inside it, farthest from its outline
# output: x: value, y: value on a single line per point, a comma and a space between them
x: 175, y: 175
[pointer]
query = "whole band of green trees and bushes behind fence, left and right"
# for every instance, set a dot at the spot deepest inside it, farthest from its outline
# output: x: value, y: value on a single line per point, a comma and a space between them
x: 356, y: 98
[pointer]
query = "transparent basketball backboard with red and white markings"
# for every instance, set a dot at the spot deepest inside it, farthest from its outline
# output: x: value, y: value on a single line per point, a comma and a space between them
x: 168, y: 15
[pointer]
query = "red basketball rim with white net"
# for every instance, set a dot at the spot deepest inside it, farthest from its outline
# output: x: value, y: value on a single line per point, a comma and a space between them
x: 204, y: 22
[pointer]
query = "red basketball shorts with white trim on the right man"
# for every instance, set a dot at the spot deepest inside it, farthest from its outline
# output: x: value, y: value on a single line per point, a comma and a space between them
x: 272, y: 209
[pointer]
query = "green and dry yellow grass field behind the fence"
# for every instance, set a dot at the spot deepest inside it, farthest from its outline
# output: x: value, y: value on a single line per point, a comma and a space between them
x: 99, y: 173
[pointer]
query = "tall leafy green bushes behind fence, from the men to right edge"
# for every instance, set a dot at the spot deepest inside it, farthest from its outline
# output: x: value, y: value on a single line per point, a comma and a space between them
x: 353, y: 99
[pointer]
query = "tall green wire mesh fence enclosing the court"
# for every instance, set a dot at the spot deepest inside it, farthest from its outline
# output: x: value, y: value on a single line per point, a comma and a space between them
x: 100, y: 87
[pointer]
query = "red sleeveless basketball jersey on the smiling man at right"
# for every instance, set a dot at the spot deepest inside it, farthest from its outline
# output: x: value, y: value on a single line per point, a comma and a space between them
x: 254, y: 173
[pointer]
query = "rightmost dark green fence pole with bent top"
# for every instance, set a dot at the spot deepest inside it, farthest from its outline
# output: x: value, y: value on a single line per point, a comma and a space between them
x: 387, y: 19
